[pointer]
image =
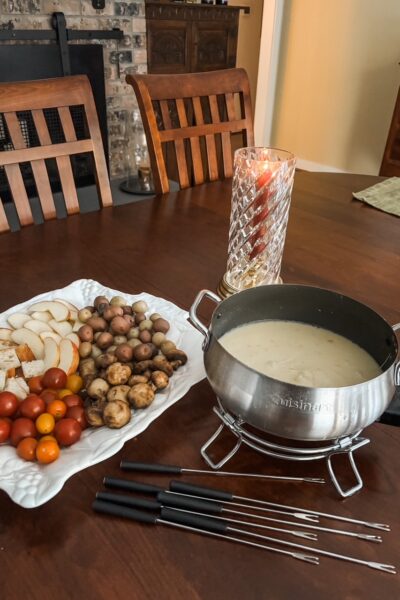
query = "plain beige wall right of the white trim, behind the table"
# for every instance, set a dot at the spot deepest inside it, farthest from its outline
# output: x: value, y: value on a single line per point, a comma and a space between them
x: 338, y: 78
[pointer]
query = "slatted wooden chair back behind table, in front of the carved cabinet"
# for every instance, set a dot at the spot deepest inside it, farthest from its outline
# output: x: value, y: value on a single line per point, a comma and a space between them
x: 194, y: 114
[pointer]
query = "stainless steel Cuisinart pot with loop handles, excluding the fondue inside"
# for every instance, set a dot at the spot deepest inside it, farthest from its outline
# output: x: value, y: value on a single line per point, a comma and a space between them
x: 287, y: 410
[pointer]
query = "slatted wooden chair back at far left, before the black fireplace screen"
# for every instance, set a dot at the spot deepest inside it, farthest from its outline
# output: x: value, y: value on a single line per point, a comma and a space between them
x: 27, y: 143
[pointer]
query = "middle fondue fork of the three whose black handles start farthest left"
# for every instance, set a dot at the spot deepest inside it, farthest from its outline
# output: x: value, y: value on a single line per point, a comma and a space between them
x: 158, y: 505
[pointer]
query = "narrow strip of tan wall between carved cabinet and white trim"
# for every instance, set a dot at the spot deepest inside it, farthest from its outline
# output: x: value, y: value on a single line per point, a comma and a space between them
x: 249, y: 40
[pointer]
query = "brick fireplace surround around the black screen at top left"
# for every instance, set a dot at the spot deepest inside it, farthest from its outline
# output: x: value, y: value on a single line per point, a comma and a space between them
x: 130, y: 52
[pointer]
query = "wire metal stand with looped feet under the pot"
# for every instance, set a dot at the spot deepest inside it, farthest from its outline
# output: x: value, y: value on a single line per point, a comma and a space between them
x: 344, y: 445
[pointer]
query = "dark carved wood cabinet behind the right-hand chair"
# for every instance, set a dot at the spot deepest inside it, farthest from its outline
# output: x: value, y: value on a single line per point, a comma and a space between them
x: 186, y: 38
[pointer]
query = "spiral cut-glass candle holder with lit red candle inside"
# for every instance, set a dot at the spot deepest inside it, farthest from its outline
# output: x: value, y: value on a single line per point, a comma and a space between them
x: 261, y: 193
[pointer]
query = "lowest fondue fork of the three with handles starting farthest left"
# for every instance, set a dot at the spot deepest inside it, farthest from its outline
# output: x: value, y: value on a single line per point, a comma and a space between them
x: 145, y: 517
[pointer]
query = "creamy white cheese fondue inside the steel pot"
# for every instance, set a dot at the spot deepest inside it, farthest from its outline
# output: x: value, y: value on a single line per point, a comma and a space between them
x: 299, y: 353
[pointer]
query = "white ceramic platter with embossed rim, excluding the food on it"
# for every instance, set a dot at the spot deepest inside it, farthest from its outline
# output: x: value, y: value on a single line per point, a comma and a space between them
x: 31, y: 484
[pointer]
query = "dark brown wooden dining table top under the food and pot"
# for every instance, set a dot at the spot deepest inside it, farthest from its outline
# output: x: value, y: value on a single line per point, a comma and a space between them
x: 172, y: 246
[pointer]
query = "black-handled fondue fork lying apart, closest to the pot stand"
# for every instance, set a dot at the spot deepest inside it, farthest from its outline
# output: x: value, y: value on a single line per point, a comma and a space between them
x: 127, y: 465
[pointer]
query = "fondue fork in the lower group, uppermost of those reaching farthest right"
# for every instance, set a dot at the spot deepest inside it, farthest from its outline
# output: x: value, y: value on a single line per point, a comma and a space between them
x: 224, y: 495
